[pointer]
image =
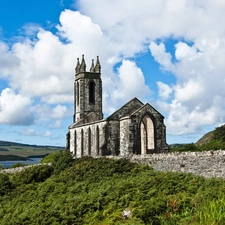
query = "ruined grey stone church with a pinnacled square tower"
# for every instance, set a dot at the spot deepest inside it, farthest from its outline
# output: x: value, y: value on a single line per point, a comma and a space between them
x: 135, y: 128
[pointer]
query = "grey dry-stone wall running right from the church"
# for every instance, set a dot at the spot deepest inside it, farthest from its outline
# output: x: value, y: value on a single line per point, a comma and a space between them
x: 207, y: 164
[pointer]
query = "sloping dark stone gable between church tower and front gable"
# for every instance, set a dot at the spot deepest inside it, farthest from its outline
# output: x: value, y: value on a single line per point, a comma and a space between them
x: 127, y: 109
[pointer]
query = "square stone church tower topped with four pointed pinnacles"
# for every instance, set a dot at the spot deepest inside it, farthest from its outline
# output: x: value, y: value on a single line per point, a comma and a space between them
x: 87, y: 92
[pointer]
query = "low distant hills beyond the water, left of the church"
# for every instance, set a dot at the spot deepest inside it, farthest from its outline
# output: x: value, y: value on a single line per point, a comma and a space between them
x: 24, y: 150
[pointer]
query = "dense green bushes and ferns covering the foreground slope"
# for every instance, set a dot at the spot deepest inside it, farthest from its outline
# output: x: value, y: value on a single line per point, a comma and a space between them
x: 97, y: 191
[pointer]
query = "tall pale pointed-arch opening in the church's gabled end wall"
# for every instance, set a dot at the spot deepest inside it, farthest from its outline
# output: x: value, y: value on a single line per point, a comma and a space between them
x: 147, y: 135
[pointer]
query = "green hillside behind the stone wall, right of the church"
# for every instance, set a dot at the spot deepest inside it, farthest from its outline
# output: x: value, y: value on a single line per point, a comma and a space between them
x: 213, y: 140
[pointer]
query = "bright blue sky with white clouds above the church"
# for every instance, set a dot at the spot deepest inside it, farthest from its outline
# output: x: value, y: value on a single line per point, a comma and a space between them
x: 169, y: 53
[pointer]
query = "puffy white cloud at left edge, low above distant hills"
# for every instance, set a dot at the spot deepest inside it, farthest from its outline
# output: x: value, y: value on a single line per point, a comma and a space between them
x: 15, y: 108
